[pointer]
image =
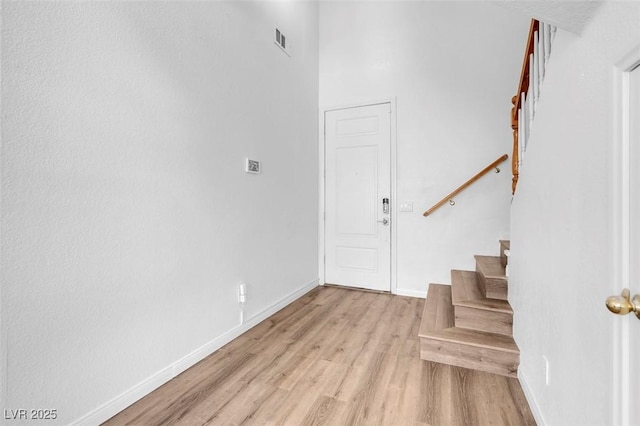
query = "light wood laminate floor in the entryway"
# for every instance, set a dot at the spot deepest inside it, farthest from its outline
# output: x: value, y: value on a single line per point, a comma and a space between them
x: 333, y: 357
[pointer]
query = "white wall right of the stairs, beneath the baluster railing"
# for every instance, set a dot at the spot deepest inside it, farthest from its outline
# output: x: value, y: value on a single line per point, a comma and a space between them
x: 561, y: 261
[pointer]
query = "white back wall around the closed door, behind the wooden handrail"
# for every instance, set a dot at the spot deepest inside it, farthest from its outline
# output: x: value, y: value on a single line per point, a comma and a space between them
x: 453, y: 67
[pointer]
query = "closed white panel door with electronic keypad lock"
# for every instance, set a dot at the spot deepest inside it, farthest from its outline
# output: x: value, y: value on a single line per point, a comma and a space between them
x: 357, y: 184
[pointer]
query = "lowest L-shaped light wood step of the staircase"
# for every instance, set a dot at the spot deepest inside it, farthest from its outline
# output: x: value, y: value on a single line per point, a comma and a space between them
x: 441, y: 341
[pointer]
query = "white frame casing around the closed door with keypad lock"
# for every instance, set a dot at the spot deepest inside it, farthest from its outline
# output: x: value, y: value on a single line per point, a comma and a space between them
x: 321, y: 185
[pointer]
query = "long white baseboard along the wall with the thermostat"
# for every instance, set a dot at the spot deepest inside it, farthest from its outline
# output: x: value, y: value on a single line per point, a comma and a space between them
x: 119, y: 403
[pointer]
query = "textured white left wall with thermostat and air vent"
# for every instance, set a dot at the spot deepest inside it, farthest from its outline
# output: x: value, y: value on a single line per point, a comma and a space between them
x: 127, y: 219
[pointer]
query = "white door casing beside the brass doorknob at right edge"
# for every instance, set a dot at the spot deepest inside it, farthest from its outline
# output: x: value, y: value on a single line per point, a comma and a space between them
x: 620, y: 261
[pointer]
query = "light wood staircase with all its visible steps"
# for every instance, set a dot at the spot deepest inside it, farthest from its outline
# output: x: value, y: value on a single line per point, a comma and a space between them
x: 470, y: 323
